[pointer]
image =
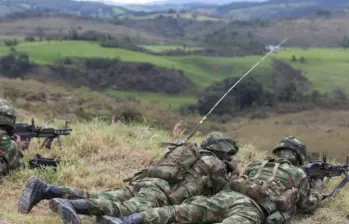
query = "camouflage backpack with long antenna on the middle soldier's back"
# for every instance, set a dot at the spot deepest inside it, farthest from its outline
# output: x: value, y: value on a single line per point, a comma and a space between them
x: 173, y: 165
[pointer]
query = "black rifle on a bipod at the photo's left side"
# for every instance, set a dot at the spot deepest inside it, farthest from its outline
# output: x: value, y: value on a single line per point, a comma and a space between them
x: 29, y: 131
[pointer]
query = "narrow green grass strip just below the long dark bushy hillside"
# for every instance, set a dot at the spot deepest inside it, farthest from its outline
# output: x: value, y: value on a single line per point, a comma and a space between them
x: 168, y: 101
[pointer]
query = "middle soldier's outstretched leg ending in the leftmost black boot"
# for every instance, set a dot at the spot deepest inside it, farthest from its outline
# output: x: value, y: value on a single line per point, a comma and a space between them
x: 37, y: 190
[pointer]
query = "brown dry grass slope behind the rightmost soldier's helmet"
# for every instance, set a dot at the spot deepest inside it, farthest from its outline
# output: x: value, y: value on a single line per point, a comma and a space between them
x: 323, y: 131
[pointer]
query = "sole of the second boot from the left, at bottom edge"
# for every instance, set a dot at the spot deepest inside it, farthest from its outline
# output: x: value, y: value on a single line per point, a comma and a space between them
x: 65, y: 211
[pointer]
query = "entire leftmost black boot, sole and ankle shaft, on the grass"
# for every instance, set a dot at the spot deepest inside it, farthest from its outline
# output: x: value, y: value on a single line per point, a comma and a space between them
x: 35, y: 191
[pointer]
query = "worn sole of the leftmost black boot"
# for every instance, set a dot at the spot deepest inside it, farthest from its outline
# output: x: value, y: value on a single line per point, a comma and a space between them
x: 31, y: 195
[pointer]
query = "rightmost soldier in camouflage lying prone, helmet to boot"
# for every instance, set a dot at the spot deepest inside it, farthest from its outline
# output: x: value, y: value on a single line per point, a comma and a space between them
x: 271, y: 191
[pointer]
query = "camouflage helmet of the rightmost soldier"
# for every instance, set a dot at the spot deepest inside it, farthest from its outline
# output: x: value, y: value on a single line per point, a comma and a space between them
x: 295, y: 145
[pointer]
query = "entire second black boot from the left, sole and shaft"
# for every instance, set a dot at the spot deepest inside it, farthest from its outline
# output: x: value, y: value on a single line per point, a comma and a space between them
x: 69, y: 209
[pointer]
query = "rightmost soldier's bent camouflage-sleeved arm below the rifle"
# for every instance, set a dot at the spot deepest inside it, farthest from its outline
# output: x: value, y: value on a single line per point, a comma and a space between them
x: 309, y: 198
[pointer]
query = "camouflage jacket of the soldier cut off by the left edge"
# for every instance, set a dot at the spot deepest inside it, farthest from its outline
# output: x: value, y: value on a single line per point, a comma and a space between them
x: 10, y: 155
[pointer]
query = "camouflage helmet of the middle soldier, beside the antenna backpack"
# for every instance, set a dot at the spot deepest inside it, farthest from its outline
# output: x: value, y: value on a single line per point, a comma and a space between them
x: 220, y: 142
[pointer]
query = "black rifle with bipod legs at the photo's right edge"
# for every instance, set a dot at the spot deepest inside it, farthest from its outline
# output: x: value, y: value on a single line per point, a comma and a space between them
x: 321, y: 169
